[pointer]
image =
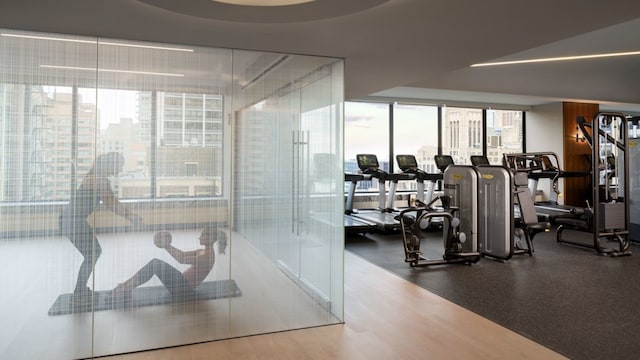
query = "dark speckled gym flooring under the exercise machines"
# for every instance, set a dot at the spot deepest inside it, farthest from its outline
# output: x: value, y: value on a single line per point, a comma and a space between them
x: 566, y: 298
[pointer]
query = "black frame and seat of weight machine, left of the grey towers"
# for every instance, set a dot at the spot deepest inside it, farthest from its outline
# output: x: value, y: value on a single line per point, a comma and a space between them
x: 453, y: 238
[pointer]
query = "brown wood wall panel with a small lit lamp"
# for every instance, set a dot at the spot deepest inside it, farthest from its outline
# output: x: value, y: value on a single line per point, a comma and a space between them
x: 576, y: 153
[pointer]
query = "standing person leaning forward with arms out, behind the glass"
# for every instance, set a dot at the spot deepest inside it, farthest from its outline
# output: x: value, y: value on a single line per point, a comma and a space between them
x: 94, y: 189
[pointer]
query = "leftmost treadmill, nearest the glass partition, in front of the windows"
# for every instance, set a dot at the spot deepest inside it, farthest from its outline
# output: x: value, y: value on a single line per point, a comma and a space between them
x: 384, y: 216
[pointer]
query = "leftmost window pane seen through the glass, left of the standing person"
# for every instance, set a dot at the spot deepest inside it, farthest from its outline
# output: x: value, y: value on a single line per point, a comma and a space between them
x: 36, y: 148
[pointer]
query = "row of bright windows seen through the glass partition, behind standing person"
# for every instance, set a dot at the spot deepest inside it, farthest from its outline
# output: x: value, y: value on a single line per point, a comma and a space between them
x: 60, y: 145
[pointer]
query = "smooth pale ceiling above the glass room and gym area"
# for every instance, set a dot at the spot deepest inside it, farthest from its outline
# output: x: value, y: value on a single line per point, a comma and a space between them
x: 407, y: 49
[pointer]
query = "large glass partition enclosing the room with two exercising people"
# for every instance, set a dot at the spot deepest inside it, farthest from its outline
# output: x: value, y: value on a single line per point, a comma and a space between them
x: 154, y: 195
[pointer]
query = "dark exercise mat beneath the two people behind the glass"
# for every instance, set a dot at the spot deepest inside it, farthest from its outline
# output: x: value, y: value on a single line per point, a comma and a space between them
x: 144, y: 296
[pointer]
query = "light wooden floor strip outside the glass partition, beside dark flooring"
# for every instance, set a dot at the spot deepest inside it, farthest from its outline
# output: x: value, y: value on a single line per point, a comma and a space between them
x: 385, y: 318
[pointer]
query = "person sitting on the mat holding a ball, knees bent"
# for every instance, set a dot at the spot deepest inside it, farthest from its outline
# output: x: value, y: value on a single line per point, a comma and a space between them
x: 177, y: 283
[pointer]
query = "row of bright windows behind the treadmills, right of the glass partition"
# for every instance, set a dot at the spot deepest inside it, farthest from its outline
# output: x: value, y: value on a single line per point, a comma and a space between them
x: 415, y: 132
